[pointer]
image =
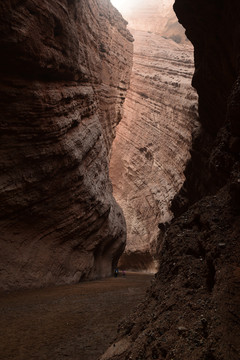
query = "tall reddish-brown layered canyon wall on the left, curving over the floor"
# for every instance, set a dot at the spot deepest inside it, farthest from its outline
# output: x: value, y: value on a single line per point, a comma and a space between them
x: 65, y: 69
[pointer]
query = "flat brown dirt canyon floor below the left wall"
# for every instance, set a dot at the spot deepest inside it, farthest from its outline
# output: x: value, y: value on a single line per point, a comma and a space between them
x: 68, y: 322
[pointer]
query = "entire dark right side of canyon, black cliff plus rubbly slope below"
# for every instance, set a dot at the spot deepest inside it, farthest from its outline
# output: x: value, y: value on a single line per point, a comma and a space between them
x: 192, y: 308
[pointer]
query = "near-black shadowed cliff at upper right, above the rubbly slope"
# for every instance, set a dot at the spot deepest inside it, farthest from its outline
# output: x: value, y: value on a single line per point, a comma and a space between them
x: 215, y: 38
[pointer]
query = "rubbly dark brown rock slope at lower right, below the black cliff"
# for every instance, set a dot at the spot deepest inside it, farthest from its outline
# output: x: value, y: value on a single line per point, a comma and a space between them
x: 191, y: 308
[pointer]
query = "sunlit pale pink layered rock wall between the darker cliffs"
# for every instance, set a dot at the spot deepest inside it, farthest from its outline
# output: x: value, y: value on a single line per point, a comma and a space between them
x: 153, y: 140
